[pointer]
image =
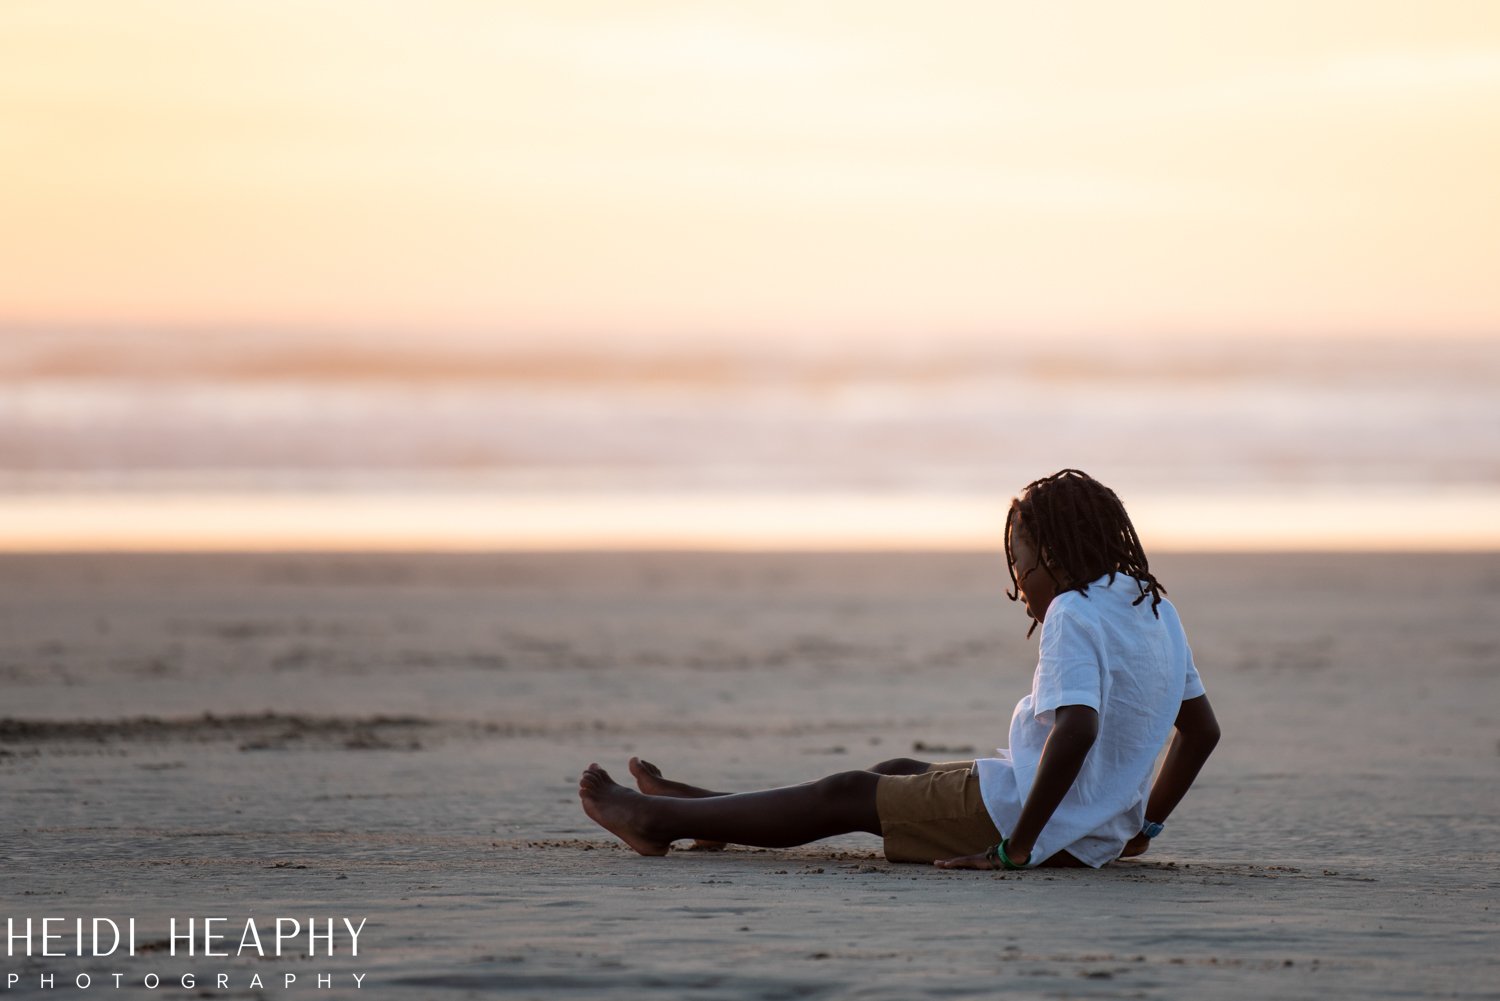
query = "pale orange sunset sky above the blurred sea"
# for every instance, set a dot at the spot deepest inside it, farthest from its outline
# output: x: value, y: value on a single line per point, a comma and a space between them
x: 842, y: 169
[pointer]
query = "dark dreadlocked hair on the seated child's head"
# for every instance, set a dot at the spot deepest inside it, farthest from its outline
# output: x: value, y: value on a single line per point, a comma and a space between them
x: 1082, y: 532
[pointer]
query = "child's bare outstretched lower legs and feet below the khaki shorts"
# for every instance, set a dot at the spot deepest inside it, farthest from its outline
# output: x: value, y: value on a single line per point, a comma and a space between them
x: 775, y: 819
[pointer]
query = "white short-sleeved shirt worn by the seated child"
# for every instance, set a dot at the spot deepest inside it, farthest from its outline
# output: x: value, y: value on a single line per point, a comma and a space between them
x: 1136, y: 670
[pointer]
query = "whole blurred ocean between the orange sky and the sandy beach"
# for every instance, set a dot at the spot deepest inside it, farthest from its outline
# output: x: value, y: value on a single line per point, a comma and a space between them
x: 1358, y: 434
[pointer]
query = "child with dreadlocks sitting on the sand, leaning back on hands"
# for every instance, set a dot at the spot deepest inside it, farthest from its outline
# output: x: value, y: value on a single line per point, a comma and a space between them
x: 1114, y: 679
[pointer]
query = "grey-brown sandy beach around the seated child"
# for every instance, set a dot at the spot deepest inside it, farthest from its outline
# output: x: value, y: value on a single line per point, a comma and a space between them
x: 397, y: 739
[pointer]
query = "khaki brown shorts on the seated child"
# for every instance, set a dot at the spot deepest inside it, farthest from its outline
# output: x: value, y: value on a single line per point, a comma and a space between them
x: 934, y: 816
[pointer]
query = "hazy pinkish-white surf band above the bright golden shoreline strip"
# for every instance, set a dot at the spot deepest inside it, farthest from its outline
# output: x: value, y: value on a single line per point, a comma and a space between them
x: 1232, y: 421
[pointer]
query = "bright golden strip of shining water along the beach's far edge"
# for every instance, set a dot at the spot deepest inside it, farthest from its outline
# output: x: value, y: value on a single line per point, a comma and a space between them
x: 1345, y: 522
